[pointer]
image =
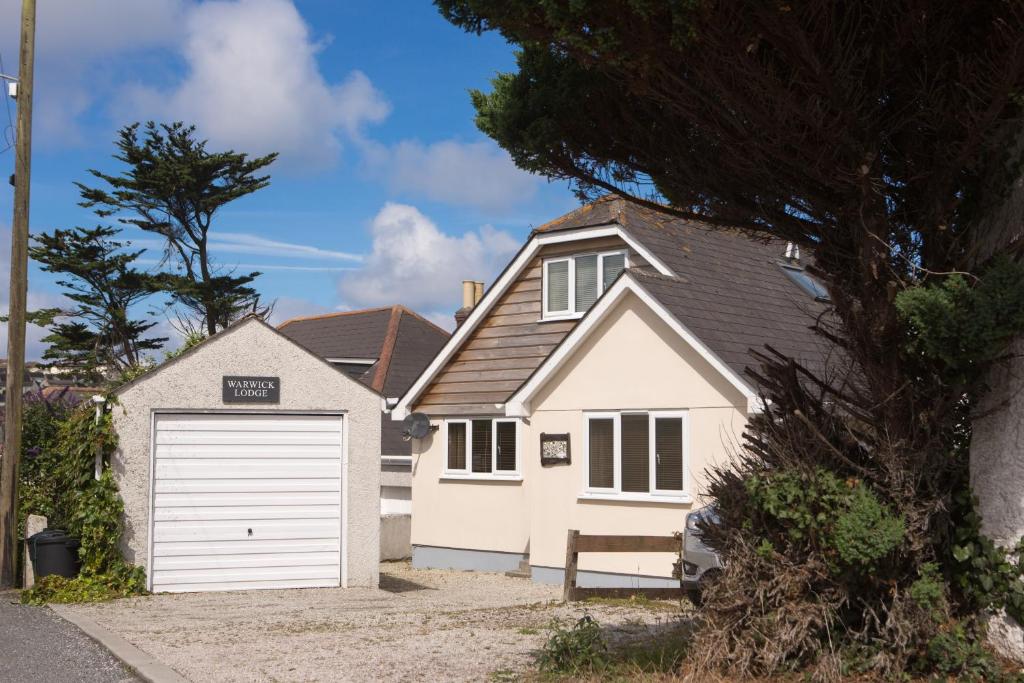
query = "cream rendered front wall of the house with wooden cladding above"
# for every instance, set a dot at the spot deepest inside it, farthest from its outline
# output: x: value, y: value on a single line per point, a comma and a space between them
x: 632, y: 361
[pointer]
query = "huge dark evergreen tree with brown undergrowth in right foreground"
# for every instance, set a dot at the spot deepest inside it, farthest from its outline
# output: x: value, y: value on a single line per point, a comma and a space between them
x: 882, y: 136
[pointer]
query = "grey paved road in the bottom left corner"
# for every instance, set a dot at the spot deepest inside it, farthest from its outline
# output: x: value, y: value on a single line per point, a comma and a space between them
x: 36, y: 646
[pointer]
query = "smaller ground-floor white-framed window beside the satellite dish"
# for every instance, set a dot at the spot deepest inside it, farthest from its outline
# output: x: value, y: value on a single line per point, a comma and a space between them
x: 482, y: 448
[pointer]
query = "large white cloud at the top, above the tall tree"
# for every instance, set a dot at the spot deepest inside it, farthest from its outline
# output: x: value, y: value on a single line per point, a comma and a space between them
x: 253, y: 83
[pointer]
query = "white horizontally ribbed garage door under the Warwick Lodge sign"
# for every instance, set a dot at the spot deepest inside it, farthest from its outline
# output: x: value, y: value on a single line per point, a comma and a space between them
x: 246, y: 501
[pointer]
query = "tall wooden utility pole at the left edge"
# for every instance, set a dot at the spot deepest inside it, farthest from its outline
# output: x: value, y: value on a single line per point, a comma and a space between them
x: 19, y: 293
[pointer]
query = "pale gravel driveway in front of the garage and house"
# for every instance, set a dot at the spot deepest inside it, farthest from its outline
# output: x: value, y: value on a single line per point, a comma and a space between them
x: 420, y: 626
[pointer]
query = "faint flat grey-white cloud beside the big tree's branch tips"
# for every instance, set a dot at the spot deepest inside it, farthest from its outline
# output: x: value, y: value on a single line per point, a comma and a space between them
x: 479, y: 175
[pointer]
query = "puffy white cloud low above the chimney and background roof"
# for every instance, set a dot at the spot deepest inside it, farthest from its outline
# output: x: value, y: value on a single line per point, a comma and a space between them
x: 413, y: 263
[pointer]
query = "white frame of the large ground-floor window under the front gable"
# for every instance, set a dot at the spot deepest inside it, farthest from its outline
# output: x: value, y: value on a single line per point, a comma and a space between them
x: 616, y: 493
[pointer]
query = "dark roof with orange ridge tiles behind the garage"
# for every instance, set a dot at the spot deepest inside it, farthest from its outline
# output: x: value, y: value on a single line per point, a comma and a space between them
x: 402, y: 343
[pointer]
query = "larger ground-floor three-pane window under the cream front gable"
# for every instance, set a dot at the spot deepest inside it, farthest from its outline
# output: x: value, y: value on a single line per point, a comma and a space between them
x: 635, y: 453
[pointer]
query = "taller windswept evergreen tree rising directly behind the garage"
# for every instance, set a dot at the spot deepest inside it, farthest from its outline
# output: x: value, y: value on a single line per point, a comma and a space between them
x: 174, y: 187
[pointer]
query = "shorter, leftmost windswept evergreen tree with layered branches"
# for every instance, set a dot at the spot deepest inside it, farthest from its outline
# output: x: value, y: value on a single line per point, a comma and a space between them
x: 97, y: 334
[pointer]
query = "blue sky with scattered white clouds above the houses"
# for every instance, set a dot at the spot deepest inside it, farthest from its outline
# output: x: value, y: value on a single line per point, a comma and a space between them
x: 386, y: 192
